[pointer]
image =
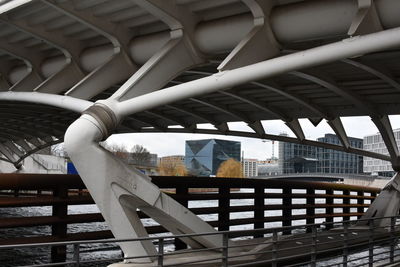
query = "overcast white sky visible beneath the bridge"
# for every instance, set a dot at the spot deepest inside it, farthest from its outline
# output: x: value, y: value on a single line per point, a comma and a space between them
x: 165, y: 144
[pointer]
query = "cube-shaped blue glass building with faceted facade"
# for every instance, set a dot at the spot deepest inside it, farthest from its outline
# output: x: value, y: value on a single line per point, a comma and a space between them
x: 203, y: 157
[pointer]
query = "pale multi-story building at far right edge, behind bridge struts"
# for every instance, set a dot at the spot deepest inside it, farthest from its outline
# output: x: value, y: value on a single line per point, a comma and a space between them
x: 374, y: 143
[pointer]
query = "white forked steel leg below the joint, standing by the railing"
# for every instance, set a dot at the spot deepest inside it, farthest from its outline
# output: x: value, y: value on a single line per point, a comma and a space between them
x: 120, y: 191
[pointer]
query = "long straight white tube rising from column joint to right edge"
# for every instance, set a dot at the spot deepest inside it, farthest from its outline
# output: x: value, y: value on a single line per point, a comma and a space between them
x: 221, y: 81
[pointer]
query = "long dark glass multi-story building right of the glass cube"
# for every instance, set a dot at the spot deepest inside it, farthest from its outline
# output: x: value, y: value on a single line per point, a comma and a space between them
x: 298, y: 158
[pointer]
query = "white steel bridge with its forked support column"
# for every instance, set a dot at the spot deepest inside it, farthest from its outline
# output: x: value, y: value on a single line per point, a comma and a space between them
x: 79, y: 71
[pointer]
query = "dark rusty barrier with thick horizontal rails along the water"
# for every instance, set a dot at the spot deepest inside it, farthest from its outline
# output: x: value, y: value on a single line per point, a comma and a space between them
x: 268, y: 203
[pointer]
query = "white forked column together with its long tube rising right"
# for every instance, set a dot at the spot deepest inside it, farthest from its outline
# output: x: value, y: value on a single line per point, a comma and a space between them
x: 120, y: 191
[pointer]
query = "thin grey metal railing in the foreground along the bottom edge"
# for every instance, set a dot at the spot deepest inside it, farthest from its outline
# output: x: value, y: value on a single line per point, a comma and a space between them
x: 344, y: 245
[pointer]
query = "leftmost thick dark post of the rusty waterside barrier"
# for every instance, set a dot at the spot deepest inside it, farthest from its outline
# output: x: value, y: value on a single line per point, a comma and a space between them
x: 59, y: 253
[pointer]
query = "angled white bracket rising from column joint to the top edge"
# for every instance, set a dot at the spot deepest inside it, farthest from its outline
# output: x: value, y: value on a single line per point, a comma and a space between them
x: 176, y: 55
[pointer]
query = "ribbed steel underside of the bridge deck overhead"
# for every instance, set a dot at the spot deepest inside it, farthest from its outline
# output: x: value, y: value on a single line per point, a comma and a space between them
x: 89, y: 49
